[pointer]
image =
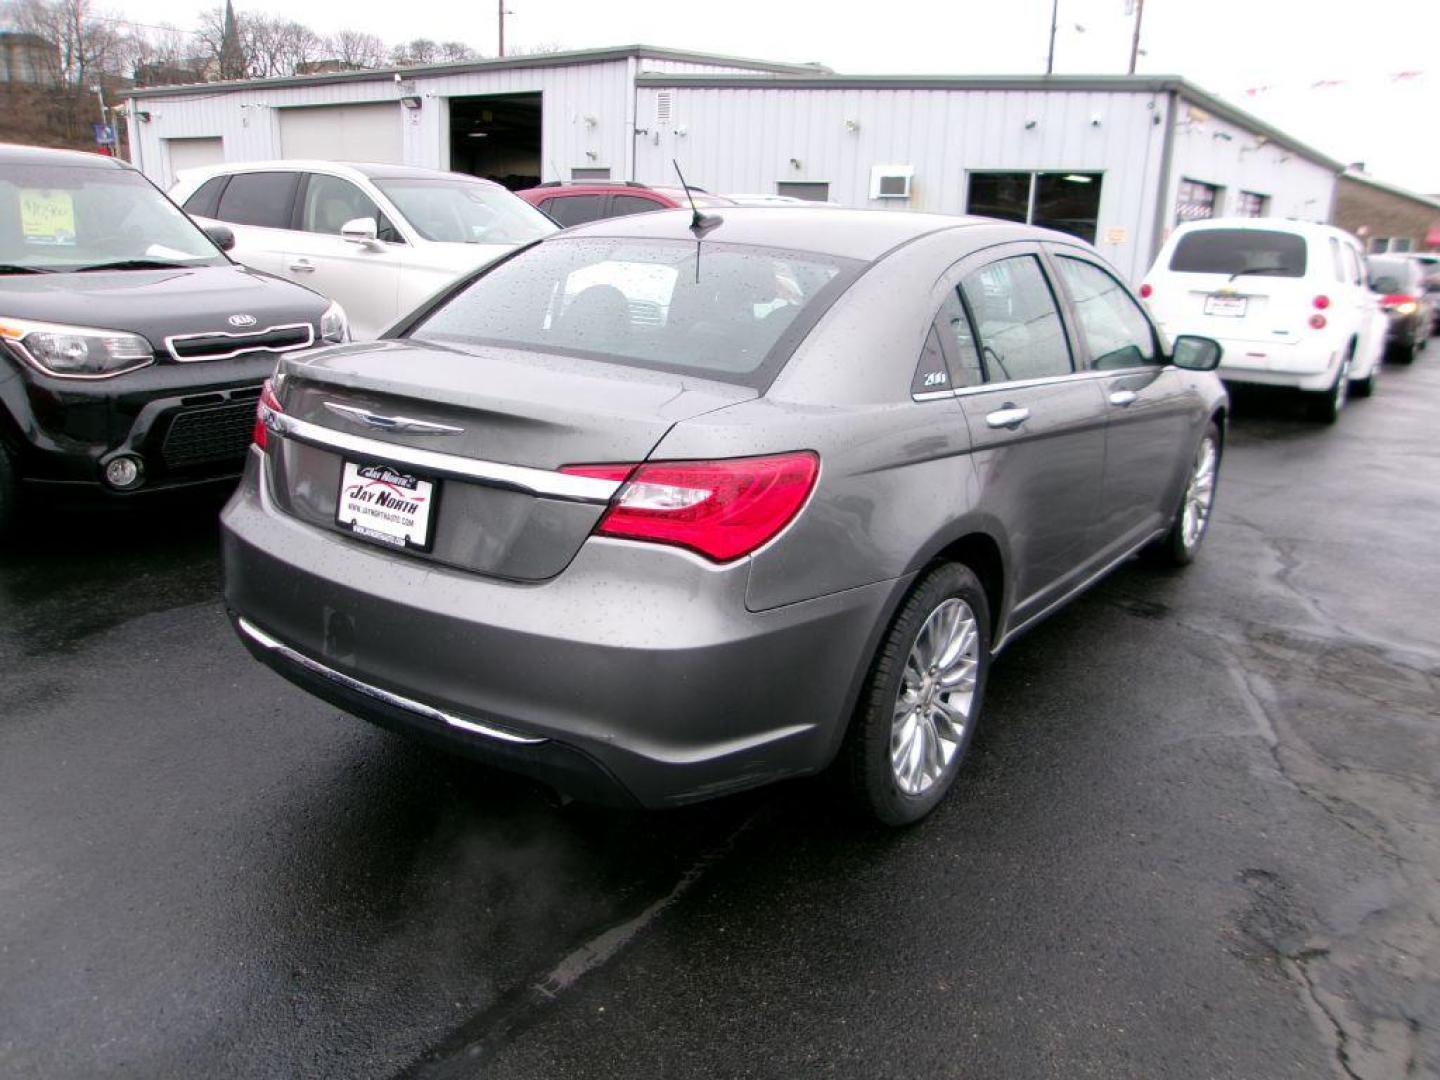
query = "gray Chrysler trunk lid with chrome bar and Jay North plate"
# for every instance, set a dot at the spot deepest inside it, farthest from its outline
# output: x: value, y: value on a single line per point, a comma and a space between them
x: 486, y: 428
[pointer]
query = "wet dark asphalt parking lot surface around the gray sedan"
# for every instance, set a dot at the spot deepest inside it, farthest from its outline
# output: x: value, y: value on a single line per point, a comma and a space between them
x: 1199, y: 836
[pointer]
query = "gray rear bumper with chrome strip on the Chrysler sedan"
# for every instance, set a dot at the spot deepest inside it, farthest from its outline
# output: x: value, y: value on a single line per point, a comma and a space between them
x: 634, y: 676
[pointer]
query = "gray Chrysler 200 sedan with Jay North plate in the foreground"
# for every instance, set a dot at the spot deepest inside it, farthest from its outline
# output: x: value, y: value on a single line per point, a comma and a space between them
x: 660, y: 509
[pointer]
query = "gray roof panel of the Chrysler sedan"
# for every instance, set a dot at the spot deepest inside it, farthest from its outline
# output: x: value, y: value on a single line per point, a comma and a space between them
x: 826, y: 231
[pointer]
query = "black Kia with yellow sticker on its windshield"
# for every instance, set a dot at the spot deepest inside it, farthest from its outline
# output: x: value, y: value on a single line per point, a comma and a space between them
x: 132, y: 349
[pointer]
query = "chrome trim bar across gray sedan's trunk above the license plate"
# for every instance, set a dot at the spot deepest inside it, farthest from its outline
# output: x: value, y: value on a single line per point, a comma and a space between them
x: 521, y: 477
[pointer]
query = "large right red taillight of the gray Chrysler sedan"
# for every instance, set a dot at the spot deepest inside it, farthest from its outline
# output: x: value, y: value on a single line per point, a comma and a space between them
x: 721, y: 509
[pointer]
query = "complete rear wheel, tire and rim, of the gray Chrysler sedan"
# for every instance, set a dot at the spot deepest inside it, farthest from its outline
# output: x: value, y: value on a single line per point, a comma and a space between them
x: 904, y: 750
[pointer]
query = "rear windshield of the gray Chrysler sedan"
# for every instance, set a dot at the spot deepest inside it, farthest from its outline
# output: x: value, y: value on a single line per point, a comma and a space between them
x: 725, y: 312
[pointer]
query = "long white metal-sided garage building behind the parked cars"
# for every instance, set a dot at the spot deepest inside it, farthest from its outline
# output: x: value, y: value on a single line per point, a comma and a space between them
x: 1118, y: 161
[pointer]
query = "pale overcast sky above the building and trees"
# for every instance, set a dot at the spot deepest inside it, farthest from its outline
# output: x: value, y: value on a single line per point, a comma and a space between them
x: 1379, y: 64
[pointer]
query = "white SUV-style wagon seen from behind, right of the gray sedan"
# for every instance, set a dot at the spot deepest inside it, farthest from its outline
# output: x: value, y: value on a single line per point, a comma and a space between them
x: 1288, y: 302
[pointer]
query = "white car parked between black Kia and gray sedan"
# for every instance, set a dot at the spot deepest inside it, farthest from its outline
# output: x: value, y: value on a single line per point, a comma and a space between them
x: 379, y: 240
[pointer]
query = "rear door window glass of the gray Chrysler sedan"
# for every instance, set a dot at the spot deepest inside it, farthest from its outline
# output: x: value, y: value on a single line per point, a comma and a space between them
x: 1017, y: 322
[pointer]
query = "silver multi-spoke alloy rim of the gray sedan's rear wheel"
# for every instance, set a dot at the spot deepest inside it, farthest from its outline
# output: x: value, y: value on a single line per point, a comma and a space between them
x: 937, y: 696
